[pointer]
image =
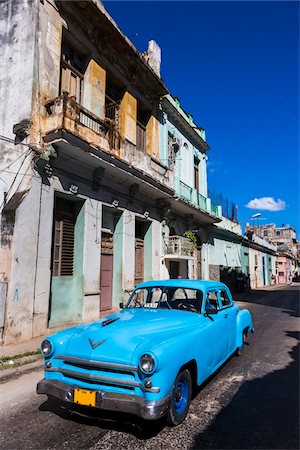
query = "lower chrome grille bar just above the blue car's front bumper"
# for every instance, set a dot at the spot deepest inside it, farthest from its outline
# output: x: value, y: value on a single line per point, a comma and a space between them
x: 91, y: 377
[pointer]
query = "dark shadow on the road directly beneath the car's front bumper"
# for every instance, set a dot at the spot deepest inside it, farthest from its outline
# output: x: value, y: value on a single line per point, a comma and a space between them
x: 105, y: 419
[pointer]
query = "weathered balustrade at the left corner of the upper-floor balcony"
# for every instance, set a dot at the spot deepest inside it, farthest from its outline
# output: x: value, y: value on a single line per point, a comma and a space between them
x: 64, y: 113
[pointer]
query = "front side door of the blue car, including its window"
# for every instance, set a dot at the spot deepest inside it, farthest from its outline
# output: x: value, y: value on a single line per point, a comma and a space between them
x: 218, y: 328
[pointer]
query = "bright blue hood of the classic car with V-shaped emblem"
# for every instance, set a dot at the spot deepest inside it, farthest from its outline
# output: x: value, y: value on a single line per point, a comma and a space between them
x: 129, y: 328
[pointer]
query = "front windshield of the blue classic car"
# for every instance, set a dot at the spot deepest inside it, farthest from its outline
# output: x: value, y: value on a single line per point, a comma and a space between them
x: 166, y: 297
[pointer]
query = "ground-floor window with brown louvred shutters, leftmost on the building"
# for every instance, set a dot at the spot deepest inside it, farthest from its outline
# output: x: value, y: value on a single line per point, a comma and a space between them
x: 63, y: 239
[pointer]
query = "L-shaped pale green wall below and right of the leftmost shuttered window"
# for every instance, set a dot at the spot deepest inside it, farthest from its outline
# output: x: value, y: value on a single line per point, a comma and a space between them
x: 67, y: 291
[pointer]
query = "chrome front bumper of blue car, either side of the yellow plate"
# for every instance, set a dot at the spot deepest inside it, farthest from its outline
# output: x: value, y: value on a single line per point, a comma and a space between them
x: 110, y: 401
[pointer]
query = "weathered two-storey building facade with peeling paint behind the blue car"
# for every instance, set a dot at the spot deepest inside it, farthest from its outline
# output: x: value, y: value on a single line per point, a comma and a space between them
x: 90, y: 206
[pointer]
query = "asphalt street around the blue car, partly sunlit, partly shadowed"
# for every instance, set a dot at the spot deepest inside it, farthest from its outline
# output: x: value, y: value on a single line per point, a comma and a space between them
x: 251, y: 403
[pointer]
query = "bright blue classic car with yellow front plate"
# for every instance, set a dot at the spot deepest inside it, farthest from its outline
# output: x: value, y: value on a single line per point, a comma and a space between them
x: 146, y: 359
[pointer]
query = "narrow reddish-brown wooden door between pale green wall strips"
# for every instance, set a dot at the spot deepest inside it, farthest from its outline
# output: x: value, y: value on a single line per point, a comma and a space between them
x: 106, y: 272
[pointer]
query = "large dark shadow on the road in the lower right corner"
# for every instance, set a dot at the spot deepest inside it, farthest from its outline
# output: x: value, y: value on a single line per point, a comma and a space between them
x: 264, y: 413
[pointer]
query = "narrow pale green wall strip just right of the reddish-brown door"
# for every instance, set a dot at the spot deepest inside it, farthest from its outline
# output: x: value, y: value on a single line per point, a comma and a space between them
x: 117, y: 268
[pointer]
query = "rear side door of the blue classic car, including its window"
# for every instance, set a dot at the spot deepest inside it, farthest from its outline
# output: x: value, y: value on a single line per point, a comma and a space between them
x: 229, y: 311
